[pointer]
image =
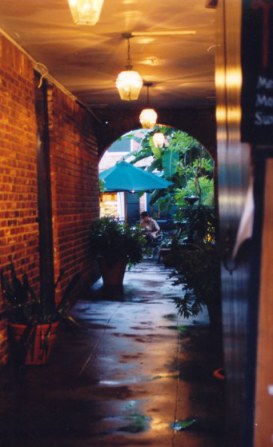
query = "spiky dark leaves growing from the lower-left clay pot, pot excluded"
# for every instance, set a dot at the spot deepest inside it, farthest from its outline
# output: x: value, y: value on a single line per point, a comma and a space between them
x: 25, y: 307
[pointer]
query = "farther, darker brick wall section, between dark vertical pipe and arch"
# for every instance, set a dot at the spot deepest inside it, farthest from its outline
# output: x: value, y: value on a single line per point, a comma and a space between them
x: 74, y: 183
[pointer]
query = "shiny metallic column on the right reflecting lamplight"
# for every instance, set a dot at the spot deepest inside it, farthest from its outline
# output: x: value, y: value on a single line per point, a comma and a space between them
x: 233, y: 178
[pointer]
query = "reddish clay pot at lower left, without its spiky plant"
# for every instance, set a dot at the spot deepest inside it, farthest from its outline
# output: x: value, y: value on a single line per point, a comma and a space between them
x: 33, y: 344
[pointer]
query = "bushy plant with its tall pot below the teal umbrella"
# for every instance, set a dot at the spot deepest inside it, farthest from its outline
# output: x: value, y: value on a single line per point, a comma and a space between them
x: 115, y: 245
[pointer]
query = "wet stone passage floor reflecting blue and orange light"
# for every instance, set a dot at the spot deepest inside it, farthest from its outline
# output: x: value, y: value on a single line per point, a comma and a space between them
x: 134, y: 374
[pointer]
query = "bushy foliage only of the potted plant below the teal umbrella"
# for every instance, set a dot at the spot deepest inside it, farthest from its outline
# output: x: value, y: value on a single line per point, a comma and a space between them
x: 114, y: 241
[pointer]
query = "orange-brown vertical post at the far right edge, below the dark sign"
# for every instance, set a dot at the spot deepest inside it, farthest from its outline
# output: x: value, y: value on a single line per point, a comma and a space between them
x: 264, y: 369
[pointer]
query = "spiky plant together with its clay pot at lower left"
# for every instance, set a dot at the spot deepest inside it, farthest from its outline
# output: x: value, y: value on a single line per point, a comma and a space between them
x: 32, y: 324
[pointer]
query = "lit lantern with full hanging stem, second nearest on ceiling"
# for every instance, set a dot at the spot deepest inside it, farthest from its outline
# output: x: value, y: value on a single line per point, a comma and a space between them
x: 129, y: 82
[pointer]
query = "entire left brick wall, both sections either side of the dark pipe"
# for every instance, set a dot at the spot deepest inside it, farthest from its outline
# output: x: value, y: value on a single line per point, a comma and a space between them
x: 73, y: 175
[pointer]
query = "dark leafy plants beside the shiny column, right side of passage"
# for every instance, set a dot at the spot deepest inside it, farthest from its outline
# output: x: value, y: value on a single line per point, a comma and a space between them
x: 195, y: 257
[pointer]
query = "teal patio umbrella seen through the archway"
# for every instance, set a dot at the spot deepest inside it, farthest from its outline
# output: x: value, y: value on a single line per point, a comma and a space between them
x: 126, y: 177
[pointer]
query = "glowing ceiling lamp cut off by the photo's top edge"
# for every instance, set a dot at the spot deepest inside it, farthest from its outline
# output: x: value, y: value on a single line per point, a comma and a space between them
x: 85, y: 12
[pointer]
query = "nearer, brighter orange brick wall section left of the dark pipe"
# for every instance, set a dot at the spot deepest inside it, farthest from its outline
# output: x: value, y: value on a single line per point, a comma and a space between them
x: 18, y: 179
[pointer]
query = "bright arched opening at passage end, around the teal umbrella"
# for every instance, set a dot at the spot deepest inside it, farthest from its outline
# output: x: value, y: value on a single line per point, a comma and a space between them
x: 179, y: 158
